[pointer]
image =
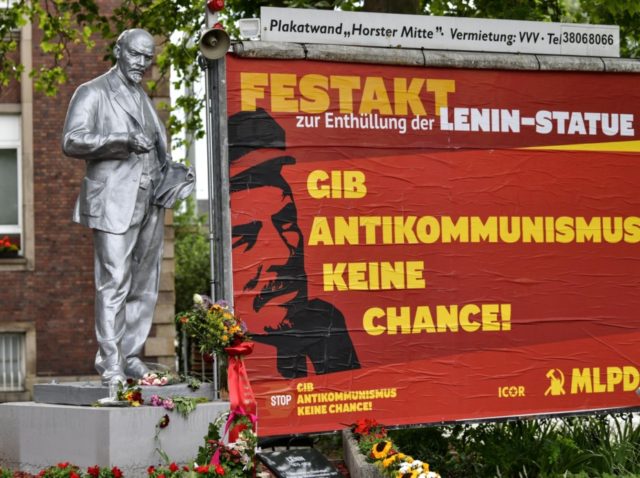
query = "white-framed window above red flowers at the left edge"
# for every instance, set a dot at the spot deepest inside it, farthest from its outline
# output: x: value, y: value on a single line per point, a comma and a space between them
x: 10, y: 180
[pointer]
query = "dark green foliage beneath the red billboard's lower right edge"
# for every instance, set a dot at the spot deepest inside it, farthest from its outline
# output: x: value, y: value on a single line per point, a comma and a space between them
x: 591, y: 446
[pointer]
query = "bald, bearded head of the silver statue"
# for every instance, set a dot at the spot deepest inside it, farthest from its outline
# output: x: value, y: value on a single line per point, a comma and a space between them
x: 134, y: 53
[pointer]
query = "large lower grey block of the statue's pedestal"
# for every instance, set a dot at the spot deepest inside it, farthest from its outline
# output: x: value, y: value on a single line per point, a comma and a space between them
x: 34, y: 436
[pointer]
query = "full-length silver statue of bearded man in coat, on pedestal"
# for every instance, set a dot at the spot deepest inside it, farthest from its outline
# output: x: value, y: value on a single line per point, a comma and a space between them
x: 129, y: 180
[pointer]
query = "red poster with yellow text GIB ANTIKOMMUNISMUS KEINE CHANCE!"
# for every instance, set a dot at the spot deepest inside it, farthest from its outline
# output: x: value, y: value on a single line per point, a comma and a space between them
x: 421, y: 245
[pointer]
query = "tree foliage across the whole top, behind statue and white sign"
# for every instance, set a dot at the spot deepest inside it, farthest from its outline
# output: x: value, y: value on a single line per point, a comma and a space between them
x: 177, y: 23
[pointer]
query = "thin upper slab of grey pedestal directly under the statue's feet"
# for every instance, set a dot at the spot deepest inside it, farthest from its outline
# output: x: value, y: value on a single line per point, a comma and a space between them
x: 88, y: 393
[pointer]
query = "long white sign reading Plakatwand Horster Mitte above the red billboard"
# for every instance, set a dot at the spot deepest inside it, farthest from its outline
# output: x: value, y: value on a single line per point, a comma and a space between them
x: 438, y: 33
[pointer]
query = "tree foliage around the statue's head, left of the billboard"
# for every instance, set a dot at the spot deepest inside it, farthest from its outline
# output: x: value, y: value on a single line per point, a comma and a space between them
x: 176, y: 23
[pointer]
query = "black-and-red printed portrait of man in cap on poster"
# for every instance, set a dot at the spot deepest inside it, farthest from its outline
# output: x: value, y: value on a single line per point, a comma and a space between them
x: 270, y: 243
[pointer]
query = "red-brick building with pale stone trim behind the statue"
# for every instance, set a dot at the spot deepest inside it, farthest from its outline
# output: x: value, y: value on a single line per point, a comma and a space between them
x: 47, y: 292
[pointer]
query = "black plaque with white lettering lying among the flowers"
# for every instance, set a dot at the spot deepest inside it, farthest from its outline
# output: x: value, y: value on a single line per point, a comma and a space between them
x: 299, y: 463
